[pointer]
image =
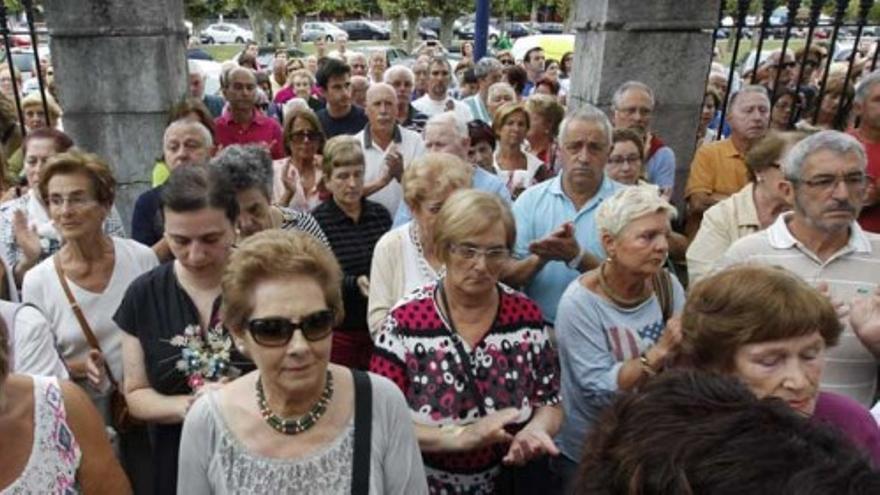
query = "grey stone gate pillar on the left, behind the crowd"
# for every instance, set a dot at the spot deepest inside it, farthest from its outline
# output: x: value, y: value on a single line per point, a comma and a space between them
x: 119, y: 65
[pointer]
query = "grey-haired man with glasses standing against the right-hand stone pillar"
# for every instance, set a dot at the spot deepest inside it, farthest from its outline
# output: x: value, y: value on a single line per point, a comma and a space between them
x: 633, y: 106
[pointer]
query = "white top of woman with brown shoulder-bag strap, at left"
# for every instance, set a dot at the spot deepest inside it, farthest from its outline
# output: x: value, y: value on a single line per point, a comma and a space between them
x: 42, y: 288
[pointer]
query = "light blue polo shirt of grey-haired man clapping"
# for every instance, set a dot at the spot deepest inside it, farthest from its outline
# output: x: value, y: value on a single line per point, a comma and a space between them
x: 540, y: 210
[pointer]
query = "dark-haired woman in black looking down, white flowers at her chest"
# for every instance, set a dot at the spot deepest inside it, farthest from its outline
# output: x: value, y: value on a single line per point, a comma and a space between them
x: 169, y: 313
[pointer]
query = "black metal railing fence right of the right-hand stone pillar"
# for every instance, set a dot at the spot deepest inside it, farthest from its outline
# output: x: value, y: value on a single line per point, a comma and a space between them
x: 847, y: 37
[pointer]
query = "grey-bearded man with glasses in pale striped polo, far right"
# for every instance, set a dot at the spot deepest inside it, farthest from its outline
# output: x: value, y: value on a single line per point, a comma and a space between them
x: 822, y: 242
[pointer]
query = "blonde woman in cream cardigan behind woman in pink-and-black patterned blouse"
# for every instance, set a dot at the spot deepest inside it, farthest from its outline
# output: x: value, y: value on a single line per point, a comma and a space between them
x: 406, y: 258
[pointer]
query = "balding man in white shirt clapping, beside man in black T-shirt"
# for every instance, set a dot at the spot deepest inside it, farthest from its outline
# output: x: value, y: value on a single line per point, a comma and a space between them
x: 388, y: 147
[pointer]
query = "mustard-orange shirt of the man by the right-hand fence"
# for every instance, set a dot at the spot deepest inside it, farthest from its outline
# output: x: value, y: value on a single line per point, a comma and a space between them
x: 717, y: 168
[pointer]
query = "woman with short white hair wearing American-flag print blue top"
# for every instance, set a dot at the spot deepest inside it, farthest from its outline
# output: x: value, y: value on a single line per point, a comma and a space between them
x: 613, y: 324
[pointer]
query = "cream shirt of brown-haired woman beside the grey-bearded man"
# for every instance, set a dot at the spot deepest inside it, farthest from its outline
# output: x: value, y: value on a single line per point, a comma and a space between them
x: 725, y: 222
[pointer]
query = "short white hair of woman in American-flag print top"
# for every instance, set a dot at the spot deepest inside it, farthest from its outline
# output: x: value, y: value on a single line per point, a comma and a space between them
x: 628, y: 204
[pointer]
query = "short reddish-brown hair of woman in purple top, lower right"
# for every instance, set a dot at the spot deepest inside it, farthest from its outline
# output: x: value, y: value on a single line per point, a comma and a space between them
x: 747, y: 304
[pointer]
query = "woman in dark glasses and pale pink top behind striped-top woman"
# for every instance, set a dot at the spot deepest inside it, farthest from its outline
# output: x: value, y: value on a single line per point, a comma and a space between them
x: 298, y: 178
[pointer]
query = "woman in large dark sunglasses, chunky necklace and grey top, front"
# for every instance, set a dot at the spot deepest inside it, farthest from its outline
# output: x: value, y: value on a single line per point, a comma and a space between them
x: 297, y: 424
